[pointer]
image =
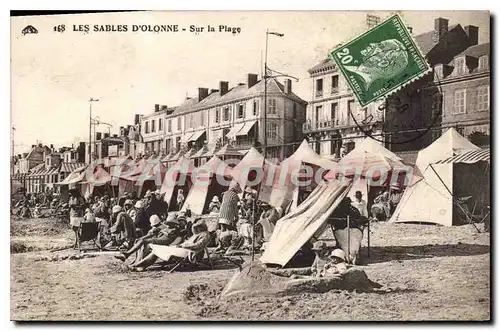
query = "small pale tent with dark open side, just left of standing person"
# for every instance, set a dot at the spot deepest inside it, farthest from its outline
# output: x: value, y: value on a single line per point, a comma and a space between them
x: 210, y: 179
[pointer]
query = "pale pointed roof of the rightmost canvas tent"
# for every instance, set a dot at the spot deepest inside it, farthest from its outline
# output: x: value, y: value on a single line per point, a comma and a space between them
x: 451, y: 143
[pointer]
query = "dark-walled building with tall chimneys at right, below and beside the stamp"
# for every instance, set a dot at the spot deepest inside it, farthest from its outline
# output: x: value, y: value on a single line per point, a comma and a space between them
x: 417, y: 113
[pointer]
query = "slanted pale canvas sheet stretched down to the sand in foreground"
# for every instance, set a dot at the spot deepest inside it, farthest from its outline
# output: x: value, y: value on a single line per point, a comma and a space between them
x: 309, y: 220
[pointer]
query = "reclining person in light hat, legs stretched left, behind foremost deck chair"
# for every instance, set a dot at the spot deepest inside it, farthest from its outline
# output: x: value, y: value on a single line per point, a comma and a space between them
x: 158, y: 234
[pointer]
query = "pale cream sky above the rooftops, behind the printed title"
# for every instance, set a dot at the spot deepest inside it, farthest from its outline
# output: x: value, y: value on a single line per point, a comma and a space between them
x: 53, y: 74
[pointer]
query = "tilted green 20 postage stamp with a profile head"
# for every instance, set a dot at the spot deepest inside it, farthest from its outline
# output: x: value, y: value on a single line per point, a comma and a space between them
x: 380, y: 61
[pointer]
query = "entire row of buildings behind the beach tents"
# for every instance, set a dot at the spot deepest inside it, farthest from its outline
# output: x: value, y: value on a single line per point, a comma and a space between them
x: 455, y: 94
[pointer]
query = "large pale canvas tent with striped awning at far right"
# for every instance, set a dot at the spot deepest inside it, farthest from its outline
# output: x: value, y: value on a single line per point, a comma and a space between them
x: 434, y: 199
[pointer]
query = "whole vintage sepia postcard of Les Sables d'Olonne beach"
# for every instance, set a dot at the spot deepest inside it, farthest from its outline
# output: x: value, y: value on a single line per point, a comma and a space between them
x: 250, y: 165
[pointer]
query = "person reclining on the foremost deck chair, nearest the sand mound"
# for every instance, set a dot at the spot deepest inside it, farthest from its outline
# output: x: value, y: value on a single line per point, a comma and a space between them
x: 190, y: 248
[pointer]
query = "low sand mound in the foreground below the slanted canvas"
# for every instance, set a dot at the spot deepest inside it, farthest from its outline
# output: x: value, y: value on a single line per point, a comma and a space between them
x: 255, y: 280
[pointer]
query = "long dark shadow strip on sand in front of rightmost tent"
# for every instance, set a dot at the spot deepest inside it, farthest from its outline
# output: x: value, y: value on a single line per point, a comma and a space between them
x: 391, y: 253
